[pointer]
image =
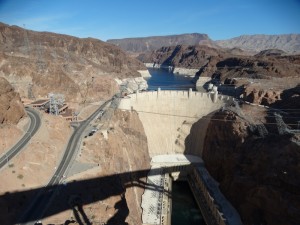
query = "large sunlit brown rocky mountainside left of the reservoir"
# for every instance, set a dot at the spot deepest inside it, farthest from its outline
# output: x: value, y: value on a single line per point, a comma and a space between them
x: 37, y: 63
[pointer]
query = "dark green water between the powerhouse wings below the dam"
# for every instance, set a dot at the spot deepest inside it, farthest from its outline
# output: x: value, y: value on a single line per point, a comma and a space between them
x: 185, y: 210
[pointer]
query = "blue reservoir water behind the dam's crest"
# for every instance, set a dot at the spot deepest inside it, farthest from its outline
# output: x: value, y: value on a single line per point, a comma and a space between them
x: 168, y: 81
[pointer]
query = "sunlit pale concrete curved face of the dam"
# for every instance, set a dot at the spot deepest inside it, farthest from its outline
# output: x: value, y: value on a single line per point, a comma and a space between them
x: 167, y: 116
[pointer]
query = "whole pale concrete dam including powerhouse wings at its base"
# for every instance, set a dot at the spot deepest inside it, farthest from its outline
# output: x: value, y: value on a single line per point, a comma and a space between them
x: 167, y: 117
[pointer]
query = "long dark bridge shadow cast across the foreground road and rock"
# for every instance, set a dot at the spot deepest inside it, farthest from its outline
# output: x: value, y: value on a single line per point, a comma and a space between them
x: 73, y: 196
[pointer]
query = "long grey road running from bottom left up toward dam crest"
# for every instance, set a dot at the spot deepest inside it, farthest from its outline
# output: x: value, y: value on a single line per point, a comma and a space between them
x: 39, y: 203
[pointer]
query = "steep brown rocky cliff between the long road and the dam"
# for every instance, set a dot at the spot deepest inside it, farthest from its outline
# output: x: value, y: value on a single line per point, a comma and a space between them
x: 119, y: 180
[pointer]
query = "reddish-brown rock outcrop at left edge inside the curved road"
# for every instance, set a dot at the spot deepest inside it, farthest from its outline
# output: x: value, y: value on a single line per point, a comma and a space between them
x: 11, y: 107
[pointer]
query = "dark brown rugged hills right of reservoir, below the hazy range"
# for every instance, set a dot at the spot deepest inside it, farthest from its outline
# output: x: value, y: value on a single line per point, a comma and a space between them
x: 224, y: 64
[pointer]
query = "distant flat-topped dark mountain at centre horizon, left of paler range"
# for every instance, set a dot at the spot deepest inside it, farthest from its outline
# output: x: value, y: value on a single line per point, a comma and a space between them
x: 145, y: 44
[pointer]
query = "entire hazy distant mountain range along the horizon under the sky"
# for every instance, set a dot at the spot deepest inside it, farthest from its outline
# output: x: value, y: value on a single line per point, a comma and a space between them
x: 289, y: 43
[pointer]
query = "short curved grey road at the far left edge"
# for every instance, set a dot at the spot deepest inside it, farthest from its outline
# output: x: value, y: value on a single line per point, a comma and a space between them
x: 35, y: 122
